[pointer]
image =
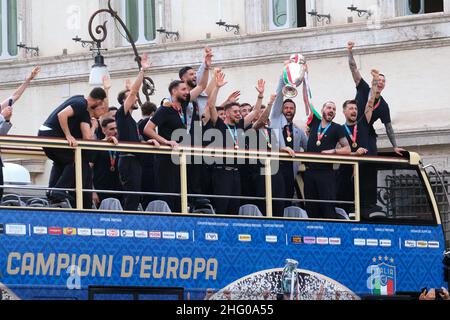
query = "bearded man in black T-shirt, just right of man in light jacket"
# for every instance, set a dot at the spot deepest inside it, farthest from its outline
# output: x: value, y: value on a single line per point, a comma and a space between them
x: 320, y: 179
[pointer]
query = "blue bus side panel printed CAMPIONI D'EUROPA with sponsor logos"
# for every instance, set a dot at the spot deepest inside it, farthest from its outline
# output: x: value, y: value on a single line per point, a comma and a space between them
x: 57, y: 255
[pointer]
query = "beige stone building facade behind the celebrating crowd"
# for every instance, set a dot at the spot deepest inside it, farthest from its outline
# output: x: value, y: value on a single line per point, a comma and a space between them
x: 409, y: 40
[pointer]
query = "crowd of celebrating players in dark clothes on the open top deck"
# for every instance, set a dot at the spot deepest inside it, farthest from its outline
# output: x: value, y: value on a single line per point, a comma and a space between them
x: 192, y: 109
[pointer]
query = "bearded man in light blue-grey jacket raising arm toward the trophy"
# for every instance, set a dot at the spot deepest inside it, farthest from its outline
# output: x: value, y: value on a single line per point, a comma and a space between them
x: 292, y: 140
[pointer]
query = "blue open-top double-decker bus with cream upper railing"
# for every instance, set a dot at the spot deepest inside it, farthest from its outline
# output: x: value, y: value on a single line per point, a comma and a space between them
x: 71, y: 253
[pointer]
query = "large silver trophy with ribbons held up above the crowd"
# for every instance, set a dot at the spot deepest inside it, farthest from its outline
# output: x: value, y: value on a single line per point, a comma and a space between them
x: 293, y: 75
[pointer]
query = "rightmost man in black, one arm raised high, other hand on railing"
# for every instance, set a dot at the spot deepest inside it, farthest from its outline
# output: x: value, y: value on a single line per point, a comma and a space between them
x: 381, y: 109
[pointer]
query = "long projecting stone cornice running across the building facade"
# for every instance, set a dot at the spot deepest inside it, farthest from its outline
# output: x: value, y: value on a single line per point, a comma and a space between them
x: 397, y: 34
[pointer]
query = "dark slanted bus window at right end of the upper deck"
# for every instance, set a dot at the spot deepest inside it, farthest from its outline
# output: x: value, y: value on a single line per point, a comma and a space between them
x: 394, y: 191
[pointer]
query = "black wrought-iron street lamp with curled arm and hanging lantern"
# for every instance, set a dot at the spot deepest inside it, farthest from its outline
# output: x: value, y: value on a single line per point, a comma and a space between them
x: 99, y: 35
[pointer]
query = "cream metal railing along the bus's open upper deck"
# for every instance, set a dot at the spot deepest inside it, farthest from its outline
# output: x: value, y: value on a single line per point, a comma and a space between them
x: 34, y: 144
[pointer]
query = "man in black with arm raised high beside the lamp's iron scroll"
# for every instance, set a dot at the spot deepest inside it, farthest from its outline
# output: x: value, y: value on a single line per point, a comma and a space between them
x: 130, y: 167
